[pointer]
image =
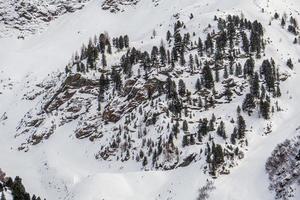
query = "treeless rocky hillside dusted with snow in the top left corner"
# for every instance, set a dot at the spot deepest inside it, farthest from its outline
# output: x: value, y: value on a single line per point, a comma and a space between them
x: 21, y: 18
